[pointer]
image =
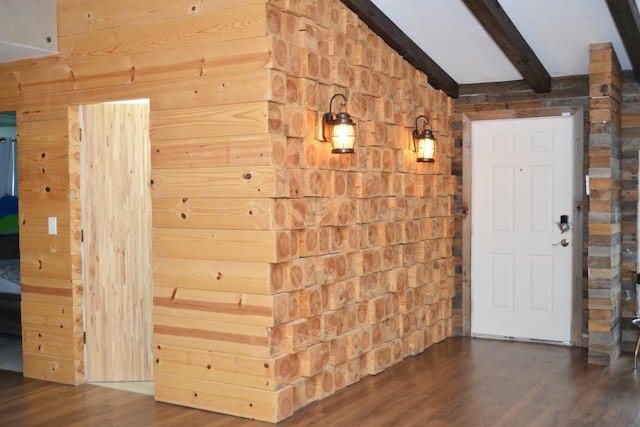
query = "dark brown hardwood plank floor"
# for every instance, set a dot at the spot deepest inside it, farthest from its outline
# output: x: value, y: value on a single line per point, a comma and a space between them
x: 459, y: 382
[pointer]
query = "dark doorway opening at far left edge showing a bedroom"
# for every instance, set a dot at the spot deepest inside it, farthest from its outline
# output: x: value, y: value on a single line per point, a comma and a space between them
x: 10, y: 289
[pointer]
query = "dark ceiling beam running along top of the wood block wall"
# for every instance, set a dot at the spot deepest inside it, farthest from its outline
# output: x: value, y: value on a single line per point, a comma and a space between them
x: 400, y: 42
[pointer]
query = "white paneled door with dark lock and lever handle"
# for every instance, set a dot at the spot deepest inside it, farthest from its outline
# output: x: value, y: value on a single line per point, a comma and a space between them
x: 521, y: 259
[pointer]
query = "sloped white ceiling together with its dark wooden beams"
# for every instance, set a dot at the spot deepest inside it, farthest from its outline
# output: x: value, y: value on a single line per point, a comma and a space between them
x: 480, y: 41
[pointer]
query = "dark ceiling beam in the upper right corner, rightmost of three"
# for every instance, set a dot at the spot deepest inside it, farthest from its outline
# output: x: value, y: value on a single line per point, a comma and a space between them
x: 625, y: 15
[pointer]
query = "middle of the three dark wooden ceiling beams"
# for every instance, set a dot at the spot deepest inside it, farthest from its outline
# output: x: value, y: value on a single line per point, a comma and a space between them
x: 496, y: 22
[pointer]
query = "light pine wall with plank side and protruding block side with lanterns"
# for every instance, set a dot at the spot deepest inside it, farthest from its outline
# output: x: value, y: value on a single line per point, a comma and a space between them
x: 282, y: 273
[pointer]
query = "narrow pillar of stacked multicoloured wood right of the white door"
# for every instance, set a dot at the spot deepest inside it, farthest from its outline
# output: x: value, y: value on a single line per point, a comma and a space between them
x: 605, y: 221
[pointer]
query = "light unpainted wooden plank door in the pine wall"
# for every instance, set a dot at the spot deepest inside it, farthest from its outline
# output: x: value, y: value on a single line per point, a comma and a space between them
x: 116, y: 215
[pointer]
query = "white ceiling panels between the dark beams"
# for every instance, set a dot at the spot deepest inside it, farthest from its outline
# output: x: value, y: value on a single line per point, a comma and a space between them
x: 558, y: 31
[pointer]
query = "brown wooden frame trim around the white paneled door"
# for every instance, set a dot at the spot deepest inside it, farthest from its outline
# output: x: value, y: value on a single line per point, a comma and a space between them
x: 578, y: 223
